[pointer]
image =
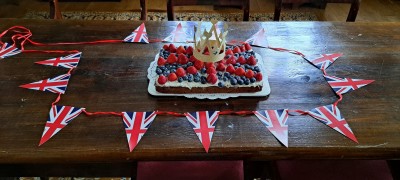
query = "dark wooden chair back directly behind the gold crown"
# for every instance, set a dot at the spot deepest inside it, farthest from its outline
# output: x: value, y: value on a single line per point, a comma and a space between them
x: 244, y: 4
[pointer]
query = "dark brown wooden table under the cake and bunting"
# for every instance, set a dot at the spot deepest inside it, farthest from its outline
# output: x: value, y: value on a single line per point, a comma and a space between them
x: 112, y: 77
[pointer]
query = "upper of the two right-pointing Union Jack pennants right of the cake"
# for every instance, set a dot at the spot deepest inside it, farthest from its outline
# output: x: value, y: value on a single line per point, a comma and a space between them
x: 322, y: 61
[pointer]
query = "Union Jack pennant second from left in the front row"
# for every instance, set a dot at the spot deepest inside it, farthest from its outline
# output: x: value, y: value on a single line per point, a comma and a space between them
x: 136, y: 124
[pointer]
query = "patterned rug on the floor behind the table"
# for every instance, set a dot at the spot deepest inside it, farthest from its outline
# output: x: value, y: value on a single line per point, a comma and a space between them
x: 180, y: 16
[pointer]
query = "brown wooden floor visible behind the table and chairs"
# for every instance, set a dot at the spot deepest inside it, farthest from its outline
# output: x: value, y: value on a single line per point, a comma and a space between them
x: 370, y: 10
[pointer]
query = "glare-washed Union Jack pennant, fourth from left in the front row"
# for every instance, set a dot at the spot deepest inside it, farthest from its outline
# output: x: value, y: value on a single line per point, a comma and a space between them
x: 276, y: 122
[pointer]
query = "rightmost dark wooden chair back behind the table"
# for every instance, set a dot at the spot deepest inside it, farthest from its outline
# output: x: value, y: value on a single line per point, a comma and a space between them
x: 355, y: 5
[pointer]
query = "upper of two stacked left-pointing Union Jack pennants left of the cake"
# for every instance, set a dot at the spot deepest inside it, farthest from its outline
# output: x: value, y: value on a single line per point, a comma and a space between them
x: 70, y: 61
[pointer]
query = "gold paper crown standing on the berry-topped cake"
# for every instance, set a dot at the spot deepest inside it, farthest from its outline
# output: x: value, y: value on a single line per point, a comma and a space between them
x: 209, y: 45
